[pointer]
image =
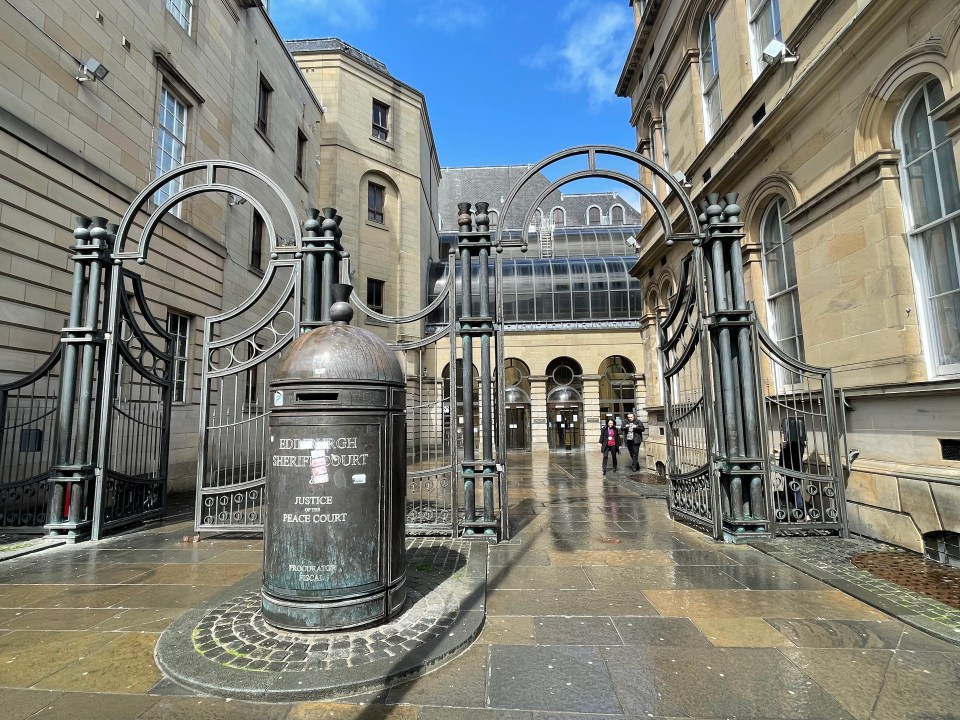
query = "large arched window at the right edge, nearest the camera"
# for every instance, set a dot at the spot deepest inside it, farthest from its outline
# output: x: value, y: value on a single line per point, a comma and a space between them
x: 931, y: 196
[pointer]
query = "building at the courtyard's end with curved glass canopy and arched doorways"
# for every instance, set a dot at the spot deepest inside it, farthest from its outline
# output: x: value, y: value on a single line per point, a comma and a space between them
x: 572, y: 354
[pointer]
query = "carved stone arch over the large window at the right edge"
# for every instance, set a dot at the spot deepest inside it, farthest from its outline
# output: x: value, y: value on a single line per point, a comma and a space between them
x: 875, y: 125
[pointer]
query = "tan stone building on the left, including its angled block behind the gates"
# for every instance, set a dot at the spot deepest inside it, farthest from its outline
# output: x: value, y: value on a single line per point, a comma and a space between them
x: 98, y: 101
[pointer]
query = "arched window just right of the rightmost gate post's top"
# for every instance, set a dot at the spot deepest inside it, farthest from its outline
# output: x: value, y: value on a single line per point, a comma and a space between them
x: 780, y: 277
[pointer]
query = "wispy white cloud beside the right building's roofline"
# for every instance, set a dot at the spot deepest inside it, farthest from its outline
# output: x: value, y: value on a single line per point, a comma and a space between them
x: 592, y: 52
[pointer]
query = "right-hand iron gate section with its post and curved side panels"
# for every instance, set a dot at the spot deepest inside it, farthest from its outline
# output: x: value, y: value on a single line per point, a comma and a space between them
x: 752, y: 434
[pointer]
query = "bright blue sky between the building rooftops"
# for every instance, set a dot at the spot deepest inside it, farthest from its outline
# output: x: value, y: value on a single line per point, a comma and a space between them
x: 506, y: 81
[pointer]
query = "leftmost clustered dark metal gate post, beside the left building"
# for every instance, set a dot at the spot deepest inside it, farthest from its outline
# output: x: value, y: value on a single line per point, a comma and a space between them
x: 74, y: 473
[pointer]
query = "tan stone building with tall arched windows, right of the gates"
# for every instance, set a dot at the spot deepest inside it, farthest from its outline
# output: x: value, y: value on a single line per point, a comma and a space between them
x: 838, y: 123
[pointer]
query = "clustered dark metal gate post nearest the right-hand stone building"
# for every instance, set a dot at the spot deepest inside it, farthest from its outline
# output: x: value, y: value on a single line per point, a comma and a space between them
x: 742, y: 468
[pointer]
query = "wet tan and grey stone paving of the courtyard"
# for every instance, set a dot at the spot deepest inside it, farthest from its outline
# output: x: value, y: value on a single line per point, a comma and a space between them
x: 599, y: 607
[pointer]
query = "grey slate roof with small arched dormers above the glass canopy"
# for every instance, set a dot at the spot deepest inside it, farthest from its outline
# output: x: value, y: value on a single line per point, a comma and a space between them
x: 493, y: 184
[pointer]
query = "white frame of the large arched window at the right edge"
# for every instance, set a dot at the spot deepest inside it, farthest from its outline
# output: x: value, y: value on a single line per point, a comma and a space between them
x: 937, y: 362
